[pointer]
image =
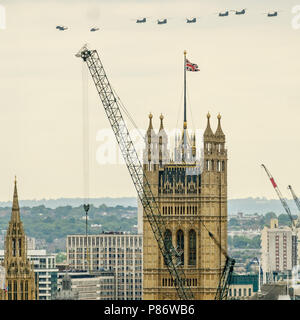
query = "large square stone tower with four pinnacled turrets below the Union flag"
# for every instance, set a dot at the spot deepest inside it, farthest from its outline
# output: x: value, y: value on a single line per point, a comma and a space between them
x: 192, y: 196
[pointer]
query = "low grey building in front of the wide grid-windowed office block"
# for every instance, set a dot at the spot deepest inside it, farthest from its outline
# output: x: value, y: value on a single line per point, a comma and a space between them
x: 82, y: 285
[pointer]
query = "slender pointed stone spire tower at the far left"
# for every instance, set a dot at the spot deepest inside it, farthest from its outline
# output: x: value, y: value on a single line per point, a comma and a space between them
x: 19, y: 277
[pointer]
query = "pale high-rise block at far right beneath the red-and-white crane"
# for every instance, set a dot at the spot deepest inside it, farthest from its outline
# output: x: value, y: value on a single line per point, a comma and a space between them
x: 279, y: 248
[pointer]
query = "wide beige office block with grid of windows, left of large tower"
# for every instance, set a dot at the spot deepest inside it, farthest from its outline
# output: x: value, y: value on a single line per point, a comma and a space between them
x: 113, y: 251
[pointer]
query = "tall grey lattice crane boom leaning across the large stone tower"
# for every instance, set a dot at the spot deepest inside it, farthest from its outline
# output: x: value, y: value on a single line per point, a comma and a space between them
x: 112, y: 106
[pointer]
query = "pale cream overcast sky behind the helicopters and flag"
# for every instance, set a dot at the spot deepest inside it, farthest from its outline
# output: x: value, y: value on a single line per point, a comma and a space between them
x: 250, y: 72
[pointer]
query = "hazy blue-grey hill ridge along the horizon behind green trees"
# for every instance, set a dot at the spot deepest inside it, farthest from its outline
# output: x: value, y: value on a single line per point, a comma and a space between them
x: 245, y: 205
